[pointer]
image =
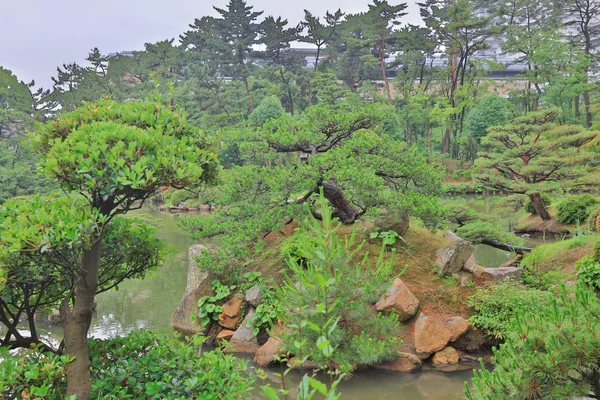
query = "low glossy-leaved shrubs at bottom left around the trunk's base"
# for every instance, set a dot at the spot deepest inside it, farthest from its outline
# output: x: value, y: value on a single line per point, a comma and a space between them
x: 141, y: 365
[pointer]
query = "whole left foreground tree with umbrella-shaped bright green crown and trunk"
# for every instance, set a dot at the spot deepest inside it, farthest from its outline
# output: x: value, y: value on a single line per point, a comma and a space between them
x: 113, y: 155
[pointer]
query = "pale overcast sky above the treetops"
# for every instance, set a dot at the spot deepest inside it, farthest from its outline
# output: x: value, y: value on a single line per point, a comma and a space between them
x: 36, y: 36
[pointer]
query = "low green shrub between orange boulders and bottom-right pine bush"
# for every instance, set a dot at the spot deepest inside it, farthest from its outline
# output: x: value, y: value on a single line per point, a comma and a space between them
x: 494, y: 305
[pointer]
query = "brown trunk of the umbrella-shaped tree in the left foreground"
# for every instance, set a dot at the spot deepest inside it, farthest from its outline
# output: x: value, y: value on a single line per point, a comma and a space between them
x: 78, y: 323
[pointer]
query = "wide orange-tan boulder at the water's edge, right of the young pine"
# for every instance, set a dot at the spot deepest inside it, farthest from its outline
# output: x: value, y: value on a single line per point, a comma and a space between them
x: 432, y: 334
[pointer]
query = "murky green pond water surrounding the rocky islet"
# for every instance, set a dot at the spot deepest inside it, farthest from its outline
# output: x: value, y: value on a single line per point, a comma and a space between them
x: 149, y: 304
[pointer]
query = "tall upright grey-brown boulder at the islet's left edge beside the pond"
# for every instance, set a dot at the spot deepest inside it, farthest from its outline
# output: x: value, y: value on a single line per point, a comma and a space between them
x: 198, y: 284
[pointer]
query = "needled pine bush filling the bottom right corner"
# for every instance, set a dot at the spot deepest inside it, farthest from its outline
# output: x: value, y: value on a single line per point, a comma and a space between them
x: 551, y: 352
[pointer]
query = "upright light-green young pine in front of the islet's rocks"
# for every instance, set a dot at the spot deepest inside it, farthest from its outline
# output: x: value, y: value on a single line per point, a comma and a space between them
x: 328, y: 300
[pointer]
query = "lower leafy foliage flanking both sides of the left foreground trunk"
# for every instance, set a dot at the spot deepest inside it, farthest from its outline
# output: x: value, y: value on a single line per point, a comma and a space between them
x: 42, y: 242
